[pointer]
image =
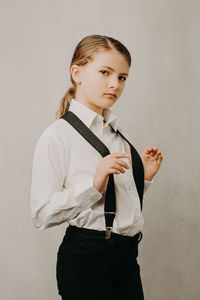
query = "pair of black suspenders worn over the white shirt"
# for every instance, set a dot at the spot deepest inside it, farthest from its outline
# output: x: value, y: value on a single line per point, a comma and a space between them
x: 137, y: 165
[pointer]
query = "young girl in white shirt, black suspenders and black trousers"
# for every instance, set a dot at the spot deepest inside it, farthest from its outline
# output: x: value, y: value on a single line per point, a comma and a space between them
x: 87, y: 174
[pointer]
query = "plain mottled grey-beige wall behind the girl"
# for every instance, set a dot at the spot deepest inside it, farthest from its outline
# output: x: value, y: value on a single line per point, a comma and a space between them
x: 159, y: 107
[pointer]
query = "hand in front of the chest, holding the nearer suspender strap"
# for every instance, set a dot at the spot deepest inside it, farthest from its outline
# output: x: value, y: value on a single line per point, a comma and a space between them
x: 110, y: 164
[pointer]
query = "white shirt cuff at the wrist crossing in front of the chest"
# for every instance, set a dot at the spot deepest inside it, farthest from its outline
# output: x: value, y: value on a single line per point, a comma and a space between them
x: 86, y: 193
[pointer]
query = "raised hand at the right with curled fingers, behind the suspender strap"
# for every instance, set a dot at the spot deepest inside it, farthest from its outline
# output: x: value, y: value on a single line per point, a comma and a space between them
x: 151, y: 158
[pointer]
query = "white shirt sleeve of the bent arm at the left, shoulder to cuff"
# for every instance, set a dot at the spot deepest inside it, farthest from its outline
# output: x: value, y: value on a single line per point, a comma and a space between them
x: 51, y: 202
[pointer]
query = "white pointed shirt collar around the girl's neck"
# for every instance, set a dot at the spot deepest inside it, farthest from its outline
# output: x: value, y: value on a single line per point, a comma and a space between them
x: 88, y: 116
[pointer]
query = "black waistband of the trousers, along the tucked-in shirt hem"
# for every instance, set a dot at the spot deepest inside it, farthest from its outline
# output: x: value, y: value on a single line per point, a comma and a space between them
x: 100, y: 235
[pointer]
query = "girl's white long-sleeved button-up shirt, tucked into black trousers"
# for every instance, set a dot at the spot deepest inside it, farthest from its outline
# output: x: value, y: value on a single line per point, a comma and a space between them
x: 64, y: 164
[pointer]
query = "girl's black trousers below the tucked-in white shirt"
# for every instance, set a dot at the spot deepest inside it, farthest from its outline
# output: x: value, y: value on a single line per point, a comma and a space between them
x: 91, y: 267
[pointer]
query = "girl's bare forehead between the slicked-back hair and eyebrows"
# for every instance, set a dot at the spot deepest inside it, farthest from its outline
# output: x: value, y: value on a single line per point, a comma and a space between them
x: 112, y: 59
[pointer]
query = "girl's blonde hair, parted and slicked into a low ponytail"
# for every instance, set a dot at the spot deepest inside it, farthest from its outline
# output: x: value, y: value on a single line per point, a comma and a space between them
x: 83, y: 53
